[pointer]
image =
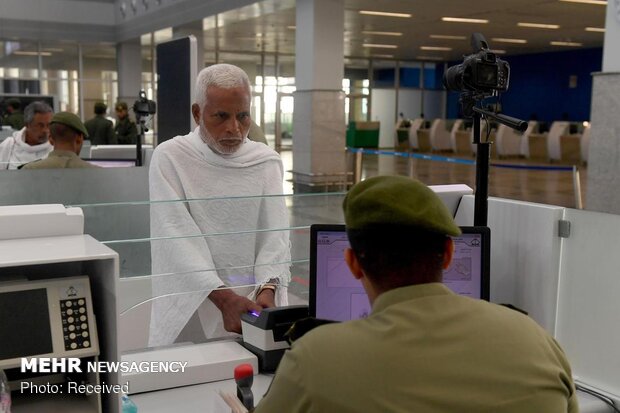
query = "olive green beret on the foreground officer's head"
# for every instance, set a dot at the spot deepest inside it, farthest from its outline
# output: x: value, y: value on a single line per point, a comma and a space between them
x: 397, y: 200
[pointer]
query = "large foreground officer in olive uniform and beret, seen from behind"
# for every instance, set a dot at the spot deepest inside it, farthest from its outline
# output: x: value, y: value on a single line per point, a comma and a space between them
x: 423, y: 348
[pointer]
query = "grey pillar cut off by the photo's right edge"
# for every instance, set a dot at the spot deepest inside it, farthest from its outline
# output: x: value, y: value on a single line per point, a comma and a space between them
x: 604, y: 151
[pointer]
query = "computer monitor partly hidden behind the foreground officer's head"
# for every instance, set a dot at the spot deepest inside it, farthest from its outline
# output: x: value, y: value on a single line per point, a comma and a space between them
x: 336, y: 295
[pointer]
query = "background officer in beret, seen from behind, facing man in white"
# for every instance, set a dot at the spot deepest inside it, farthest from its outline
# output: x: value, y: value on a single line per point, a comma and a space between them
x: 67, y: 136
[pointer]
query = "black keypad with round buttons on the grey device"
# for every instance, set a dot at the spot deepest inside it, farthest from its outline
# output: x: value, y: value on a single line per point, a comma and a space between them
x: 75, y: 329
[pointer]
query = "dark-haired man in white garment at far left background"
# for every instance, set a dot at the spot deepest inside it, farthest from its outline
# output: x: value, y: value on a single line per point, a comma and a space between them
x: 31, y: 142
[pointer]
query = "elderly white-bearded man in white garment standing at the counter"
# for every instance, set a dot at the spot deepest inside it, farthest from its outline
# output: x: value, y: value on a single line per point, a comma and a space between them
x: 229, y: 249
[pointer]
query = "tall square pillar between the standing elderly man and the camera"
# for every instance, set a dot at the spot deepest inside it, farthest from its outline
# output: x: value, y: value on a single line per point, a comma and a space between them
x: 319, y: 158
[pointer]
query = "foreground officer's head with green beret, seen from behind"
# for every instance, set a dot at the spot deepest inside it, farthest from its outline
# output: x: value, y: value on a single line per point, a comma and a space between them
x: 399, y: 231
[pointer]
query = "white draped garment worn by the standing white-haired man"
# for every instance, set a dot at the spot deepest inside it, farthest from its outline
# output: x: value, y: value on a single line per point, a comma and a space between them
x: 186, y: 168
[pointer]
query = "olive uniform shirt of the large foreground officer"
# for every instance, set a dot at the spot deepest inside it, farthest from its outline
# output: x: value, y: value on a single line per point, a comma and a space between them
x: 425, y: 349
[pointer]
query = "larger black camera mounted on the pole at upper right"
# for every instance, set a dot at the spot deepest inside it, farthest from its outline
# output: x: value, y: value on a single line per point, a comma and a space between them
x: 482, y: 72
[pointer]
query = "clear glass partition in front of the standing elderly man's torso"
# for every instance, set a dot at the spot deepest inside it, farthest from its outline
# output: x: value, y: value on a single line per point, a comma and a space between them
x: 167, y: 271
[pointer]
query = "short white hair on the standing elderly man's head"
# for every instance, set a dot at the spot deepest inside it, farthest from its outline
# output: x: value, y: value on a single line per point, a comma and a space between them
x: 221, y: 75
